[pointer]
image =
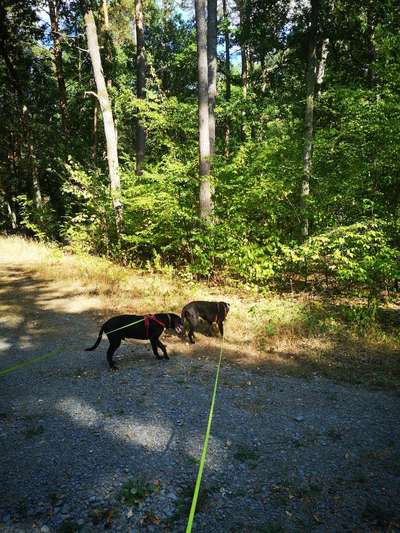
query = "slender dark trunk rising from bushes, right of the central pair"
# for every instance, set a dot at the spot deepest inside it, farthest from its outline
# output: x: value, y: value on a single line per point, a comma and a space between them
x: 309, y: 117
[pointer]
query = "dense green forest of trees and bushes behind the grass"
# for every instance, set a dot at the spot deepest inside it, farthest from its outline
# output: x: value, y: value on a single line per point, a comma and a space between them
x: 304, y: 174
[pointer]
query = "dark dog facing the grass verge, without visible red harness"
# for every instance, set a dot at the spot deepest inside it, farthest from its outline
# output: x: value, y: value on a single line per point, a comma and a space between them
x: 208, y: 311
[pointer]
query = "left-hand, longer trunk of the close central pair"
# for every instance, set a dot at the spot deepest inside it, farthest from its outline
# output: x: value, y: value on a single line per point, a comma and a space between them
x: 206, y: 206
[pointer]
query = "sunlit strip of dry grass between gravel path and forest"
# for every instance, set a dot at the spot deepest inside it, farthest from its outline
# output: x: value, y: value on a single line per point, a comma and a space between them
x: 291, y: 334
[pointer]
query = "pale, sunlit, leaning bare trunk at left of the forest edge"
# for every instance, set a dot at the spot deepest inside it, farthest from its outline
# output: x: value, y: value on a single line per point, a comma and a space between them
x: 105, y: 105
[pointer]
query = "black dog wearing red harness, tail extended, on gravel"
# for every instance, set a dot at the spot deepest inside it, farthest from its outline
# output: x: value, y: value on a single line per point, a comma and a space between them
x: 138, y: 327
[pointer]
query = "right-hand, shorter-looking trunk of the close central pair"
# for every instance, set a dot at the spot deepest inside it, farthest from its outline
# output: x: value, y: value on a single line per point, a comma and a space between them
x: 212, y: 70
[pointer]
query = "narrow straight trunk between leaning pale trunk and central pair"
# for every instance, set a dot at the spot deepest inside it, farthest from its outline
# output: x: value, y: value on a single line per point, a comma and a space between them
x: 140, y: 84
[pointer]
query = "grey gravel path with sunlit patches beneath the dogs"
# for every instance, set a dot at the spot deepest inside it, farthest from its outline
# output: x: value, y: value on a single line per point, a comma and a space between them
x: 76, y: 441
